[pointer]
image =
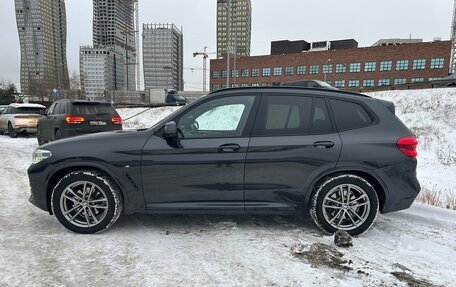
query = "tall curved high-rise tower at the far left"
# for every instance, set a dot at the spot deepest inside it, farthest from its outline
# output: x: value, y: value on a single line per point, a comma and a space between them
x: 42, y: 34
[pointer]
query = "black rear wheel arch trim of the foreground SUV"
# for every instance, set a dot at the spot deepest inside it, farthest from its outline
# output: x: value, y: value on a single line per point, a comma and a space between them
x: 378, y: 185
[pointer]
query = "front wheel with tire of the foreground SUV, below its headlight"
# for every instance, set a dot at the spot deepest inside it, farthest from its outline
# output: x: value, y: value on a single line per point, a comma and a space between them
x: 92, y: 211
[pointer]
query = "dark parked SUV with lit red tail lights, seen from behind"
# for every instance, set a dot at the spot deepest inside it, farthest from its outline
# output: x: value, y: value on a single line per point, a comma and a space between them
x: 67, y: 118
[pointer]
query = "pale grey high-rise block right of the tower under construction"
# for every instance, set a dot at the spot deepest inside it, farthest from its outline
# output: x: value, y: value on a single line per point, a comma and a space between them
x: 163, y: 57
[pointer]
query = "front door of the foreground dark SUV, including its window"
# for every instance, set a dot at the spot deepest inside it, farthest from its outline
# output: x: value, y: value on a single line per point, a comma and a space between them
x: 203, y: 169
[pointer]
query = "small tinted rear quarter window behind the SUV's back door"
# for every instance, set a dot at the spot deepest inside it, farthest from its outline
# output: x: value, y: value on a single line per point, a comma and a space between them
x: 350, y: 115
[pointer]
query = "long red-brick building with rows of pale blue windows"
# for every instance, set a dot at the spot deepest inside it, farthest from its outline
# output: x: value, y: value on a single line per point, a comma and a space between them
x: 341, y: 64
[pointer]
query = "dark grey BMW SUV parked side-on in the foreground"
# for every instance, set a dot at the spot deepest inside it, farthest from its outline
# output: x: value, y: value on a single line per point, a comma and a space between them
x: 339, y: 156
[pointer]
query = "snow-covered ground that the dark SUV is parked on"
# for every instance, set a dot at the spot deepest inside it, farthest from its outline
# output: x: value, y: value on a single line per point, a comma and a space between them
x: 415, y: 246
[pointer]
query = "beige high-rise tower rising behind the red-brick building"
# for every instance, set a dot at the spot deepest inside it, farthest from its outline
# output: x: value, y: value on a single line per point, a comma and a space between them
x: 239, y: 23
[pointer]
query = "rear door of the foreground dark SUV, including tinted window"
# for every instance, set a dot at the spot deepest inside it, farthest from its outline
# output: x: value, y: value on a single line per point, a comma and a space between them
x: 292, y: 141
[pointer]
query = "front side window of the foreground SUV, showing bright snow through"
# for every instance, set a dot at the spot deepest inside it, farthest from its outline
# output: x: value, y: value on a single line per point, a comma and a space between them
x: 222, y: 117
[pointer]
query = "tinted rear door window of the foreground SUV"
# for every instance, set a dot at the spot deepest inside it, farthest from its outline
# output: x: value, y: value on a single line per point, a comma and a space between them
x: 292, y: 116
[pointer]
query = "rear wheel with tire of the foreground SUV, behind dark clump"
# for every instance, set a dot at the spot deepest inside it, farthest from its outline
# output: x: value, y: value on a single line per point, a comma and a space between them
x: 347, y: 202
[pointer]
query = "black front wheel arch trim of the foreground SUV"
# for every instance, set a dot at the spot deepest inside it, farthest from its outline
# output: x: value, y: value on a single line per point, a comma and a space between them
x: 59, y: 174
